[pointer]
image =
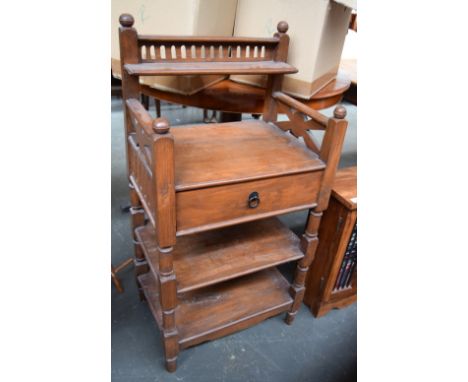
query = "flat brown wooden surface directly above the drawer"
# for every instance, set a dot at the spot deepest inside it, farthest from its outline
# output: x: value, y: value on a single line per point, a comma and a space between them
x: 237, y: 151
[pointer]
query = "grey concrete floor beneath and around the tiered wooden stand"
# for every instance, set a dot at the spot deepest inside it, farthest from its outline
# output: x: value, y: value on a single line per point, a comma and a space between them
x: 322, y: 350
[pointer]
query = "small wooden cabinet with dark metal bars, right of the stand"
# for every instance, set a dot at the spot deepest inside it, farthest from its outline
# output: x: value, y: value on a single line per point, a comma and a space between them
x: 332, y: 280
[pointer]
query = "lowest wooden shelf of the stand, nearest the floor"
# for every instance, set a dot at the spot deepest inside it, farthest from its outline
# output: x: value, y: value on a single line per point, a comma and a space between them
x: 219, y: 310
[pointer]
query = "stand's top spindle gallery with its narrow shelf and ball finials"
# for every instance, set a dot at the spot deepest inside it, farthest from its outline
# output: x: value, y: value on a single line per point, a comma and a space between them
x: 150, y: 55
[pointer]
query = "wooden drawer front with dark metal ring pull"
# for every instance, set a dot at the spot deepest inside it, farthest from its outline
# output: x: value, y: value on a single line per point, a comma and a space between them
x: 212, y: 207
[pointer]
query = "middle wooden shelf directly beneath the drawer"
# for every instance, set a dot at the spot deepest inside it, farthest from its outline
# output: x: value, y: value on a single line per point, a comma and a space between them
x: 214, y: 256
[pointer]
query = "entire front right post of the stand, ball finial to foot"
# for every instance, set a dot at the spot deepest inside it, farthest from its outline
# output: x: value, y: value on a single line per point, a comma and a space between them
x: 330, y: 153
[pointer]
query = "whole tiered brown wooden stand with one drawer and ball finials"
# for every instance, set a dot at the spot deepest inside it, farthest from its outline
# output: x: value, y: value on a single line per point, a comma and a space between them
x: 205, y: 197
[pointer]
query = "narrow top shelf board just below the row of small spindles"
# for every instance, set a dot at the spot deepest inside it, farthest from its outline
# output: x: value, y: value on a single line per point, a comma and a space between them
x: 171, y: 68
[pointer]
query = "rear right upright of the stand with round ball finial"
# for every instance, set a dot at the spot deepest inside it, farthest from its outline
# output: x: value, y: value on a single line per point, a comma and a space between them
x: 275, y: 81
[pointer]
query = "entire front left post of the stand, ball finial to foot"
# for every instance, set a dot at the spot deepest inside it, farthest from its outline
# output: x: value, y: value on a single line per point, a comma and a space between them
x: 163, y: 162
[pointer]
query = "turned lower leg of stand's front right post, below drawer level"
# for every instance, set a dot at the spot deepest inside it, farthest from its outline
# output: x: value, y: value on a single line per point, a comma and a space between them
x: 309, y: 242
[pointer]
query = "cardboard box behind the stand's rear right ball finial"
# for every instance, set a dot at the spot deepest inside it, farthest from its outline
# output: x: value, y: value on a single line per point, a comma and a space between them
x: 317, y: 30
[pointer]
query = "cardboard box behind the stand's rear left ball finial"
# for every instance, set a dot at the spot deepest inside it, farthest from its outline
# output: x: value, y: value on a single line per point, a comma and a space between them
x: 169, y: 17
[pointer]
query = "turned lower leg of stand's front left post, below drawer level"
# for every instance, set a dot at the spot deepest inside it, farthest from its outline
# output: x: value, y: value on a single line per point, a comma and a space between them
x: 168, y: 299
